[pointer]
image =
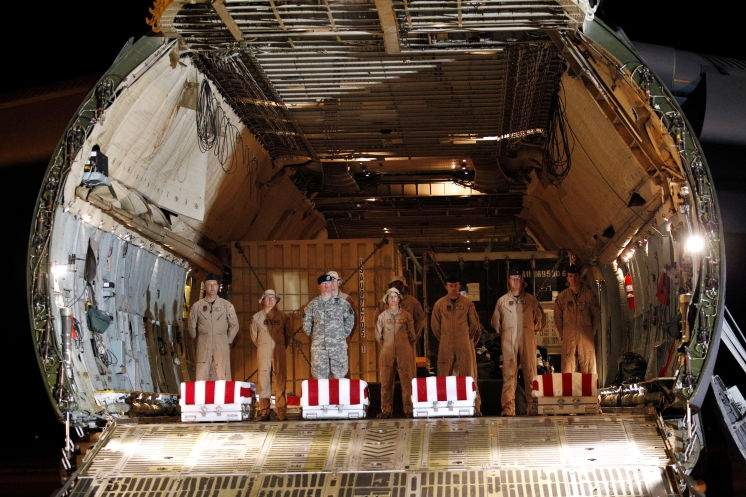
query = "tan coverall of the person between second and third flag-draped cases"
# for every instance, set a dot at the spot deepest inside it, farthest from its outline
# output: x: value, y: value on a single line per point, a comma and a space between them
x: 396, y: 335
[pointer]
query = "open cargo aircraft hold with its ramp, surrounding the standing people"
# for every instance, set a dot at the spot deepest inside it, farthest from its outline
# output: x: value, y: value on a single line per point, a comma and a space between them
x: 265, y: 142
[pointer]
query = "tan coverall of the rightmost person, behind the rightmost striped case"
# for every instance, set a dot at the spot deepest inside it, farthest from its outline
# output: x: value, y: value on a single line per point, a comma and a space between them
x: 577, y: 317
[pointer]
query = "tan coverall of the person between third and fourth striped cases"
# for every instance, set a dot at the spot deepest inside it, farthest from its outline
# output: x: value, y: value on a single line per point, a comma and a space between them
x: 517, y: 319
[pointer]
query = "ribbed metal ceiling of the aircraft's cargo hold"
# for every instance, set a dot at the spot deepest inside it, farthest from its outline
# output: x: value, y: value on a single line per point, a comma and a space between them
x: 351, y: 83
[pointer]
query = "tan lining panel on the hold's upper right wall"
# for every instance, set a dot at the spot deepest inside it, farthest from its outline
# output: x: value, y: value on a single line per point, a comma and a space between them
x: 595, y: 193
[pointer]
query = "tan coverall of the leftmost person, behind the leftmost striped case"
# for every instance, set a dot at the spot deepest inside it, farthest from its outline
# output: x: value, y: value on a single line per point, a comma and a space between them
x: 214, y: 325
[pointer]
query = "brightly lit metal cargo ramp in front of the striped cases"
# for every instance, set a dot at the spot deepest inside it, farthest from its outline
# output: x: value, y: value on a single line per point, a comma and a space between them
x: 609, y: 455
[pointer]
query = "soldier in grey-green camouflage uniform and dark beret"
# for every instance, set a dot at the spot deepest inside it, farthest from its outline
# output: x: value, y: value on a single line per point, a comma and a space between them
x: 328, y: 320
